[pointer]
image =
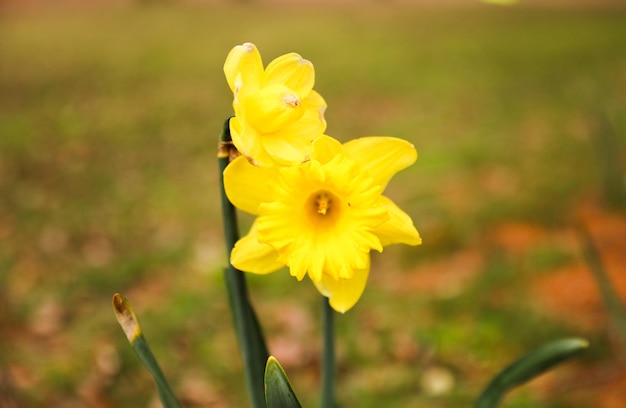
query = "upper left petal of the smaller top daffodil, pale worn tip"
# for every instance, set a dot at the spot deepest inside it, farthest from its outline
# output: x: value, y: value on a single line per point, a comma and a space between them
x: 243, y: 62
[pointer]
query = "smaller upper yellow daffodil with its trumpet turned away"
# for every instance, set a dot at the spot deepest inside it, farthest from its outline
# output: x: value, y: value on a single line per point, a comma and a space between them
x: 277, y: 112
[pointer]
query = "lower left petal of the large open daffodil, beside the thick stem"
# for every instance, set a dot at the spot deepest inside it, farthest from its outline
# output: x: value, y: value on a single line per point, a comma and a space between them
x: 249, y: 255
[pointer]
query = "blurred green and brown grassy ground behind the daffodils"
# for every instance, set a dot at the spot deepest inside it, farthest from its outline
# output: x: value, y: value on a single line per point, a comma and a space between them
x: 109, y: 118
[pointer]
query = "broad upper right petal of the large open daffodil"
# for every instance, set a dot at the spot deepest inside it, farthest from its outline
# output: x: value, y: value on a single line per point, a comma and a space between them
x: 381, y: 156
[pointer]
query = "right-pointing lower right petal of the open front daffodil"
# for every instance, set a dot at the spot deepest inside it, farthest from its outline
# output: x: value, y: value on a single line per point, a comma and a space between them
x: 399, y: 228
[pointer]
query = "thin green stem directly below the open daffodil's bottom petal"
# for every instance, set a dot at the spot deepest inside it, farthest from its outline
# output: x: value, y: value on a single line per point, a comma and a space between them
x: 329, y: 371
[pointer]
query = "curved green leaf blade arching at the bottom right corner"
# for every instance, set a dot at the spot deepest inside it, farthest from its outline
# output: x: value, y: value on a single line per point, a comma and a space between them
x: 529, y: 366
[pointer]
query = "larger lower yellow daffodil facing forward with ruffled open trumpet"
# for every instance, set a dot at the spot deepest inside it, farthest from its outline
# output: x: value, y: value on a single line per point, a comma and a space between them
x: 322, y: 218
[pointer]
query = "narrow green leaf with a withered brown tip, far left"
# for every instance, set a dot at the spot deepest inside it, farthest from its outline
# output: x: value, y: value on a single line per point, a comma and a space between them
x: 128, y: 320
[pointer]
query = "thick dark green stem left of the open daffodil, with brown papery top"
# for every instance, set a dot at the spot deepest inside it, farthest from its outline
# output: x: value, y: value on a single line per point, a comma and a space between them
x: 249, y: 334
